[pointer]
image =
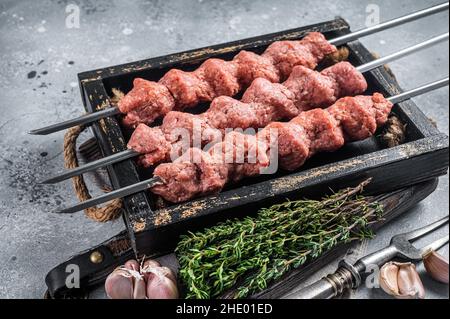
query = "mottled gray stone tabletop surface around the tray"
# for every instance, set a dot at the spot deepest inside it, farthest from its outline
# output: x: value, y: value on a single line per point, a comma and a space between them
x: 39, y: 60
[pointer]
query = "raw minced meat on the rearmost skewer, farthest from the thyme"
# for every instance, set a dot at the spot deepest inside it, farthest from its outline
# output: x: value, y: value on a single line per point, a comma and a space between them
x: 179, y: 89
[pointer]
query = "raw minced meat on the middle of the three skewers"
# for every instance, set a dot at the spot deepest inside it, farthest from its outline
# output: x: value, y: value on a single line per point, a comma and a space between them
x: 262, y: 103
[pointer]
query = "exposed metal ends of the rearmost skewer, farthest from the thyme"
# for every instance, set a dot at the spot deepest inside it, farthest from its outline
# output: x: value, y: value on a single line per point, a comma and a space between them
x: 89, y: 118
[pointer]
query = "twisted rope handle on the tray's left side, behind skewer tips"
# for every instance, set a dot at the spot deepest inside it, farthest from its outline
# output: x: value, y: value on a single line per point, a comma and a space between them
x: 111, y: 210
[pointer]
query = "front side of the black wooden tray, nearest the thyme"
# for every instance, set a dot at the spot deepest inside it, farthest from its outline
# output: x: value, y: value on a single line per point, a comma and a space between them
x: 427, y: 158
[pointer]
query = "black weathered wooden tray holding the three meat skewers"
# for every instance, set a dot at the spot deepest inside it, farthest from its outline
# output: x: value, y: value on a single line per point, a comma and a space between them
x: 152, y: 231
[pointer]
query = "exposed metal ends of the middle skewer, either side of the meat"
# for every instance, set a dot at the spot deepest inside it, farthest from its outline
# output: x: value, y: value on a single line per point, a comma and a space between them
x: 118, y: 157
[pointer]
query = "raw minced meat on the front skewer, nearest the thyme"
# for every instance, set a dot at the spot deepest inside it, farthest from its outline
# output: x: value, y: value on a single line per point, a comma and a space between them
x: 310, y: 132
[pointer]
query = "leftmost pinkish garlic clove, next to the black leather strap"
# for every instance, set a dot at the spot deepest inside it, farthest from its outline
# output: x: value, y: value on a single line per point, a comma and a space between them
x: 119, y: 285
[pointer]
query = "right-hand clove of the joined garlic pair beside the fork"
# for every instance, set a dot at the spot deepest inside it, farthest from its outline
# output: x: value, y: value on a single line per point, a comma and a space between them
x: 409, y: 283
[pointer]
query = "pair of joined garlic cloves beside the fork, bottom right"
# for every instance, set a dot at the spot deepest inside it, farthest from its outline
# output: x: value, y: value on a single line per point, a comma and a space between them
x: 401, y: 280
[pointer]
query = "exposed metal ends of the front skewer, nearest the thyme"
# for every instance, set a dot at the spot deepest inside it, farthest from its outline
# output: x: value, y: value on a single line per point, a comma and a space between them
x: 135, y: 188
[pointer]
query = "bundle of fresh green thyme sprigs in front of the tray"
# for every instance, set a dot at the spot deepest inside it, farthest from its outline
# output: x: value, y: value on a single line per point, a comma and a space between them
x: 246, y: 255
